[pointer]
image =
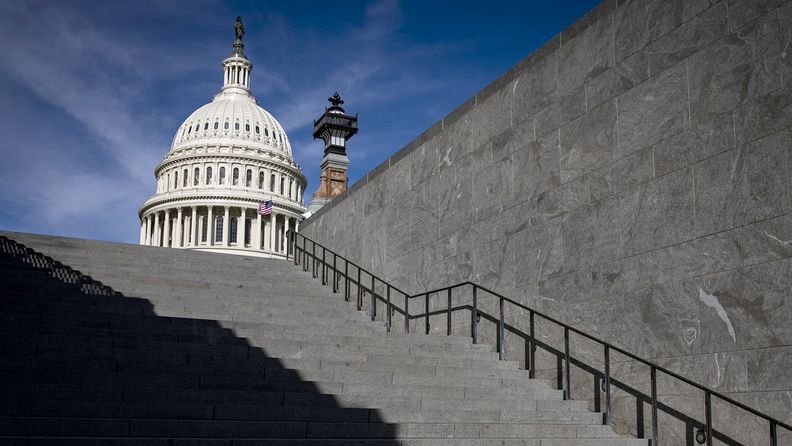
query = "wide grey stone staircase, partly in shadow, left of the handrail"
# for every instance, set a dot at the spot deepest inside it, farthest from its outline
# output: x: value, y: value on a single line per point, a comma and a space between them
x: 176, y: 347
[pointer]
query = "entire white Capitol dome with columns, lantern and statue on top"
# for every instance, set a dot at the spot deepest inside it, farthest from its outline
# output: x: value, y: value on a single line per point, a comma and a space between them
x: 227, y: 161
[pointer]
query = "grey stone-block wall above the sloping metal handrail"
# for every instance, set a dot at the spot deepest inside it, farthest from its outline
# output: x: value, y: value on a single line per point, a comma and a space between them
x: 632, y: 177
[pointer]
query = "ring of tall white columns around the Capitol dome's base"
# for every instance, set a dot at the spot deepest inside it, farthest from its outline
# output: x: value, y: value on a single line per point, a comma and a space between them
x: 218, y: 227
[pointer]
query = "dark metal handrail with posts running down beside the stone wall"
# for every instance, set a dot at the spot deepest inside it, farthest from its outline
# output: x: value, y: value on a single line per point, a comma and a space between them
x: 564, y: 359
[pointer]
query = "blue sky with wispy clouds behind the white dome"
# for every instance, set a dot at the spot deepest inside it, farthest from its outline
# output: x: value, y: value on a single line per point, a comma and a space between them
x: 92, y: 92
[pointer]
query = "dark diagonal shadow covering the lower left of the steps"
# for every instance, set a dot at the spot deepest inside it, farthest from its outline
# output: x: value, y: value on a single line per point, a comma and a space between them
x: 79, y: 359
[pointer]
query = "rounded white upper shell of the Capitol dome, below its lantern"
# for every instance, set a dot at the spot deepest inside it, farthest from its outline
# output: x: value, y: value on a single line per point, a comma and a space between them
x: 235, y: 119
